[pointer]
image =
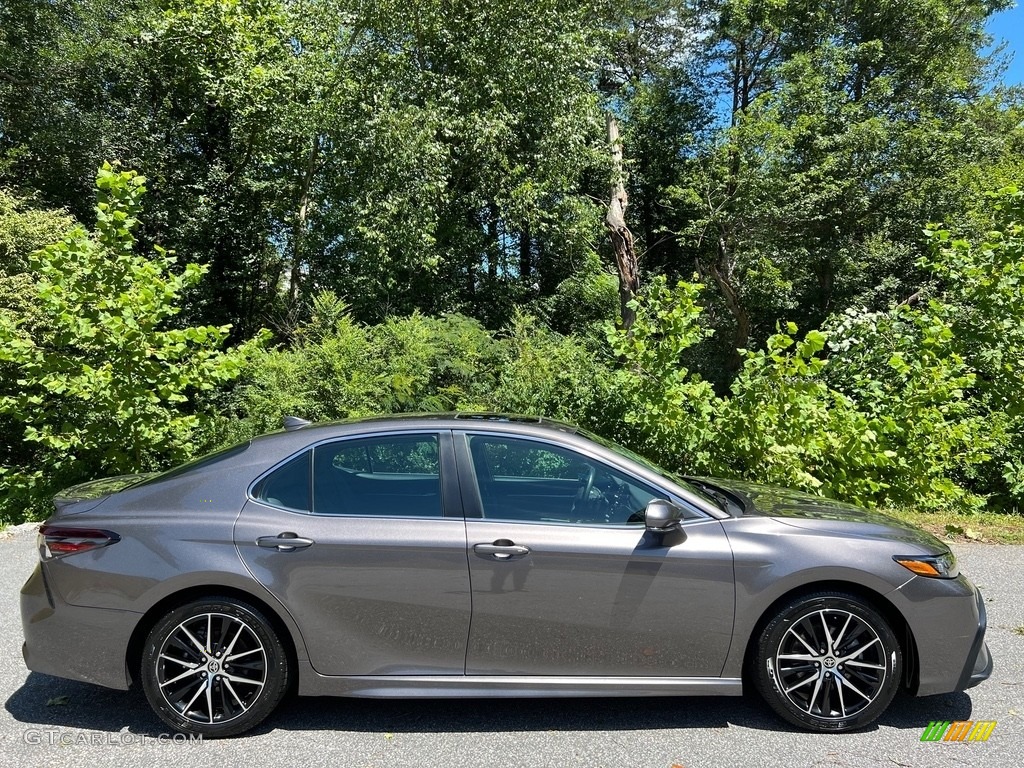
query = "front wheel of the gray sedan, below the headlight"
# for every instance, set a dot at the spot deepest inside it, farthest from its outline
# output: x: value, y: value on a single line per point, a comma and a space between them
x: 829, y: 663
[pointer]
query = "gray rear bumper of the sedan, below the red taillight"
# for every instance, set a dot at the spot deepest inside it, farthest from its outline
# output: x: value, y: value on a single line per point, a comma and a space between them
x: 68, y: 642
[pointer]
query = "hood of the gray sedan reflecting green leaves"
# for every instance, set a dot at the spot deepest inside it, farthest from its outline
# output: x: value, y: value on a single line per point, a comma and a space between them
x: 806, y: 511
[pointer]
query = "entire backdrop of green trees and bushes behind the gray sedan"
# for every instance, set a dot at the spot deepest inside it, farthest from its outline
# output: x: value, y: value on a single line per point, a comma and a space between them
x: 416, y: 200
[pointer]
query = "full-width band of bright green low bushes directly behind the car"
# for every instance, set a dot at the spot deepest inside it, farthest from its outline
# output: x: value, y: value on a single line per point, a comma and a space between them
x: 919, y: 406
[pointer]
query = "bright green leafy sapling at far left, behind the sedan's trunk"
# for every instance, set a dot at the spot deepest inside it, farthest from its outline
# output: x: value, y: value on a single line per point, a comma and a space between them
x: 104, y: 383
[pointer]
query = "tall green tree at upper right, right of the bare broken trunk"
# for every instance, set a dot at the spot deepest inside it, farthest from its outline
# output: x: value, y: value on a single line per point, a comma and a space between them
x: 844, y: 125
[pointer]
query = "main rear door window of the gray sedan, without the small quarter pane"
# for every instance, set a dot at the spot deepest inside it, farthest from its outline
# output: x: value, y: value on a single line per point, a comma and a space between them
x: 394, y: 477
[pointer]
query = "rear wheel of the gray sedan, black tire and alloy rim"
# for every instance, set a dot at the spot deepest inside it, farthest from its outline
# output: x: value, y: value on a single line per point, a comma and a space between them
x: 215, y: 668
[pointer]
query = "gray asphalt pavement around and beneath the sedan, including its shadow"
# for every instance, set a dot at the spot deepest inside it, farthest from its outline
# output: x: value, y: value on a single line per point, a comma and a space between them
x: 48, y: 721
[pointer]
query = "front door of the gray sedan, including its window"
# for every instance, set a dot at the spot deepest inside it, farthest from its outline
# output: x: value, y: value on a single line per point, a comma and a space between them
x: 568, y: 582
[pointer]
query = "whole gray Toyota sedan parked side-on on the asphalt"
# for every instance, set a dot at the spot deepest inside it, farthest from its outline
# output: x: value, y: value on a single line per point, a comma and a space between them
x: 484, y: 556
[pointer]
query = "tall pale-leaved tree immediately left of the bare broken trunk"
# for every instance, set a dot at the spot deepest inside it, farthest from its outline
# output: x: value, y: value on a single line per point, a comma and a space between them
x: 458, y: 150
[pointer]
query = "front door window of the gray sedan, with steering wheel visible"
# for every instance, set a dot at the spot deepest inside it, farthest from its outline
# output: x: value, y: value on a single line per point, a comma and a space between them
x: 540, y: 483
